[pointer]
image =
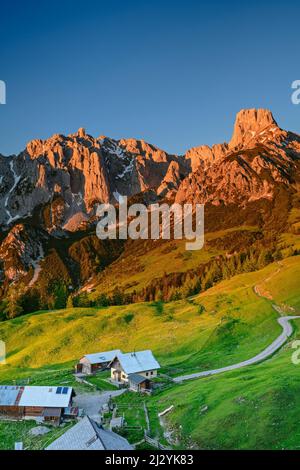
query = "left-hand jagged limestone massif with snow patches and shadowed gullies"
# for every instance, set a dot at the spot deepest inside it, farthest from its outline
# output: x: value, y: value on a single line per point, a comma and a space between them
x: 80, y: 170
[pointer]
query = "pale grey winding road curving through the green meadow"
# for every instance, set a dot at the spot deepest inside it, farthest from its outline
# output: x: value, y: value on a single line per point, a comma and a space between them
x: 287, y: 328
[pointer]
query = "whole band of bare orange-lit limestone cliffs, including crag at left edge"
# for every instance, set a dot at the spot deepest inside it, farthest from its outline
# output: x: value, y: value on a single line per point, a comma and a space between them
x: 52, y: 188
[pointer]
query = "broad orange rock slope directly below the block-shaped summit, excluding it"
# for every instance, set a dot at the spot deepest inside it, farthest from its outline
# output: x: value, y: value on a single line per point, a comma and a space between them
x: 238, y: 179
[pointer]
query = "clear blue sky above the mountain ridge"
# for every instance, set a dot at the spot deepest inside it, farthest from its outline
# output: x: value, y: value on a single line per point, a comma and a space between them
x: 171, y: 72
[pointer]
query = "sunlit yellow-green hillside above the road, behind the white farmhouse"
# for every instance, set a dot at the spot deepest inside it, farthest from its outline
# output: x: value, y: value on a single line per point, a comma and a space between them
x: 225, y: 324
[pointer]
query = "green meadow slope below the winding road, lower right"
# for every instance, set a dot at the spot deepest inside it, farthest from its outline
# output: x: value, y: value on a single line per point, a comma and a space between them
x: 252, y: 408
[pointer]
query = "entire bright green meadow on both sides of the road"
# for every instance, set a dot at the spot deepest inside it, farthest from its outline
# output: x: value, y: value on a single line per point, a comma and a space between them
x: 256, y: 407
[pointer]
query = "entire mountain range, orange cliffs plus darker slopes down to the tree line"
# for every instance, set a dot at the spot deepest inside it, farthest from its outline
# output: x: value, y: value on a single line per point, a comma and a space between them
x: 49, y: 195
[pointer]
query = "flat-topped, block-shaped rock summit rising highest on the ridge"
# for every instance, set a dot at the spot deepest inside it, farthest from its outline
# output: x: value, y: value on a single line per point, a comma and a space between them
x: 249, y: 124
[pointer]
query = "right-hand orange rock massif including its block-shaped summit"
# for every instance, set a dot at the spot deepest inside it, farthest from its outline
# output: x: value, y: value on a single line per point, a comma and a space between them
x: 259, y: 158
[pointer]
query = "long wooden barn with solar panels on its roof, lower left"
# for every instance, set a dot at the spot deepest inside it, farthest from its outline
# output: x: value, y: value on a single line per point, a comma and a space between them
x: 43, y: 404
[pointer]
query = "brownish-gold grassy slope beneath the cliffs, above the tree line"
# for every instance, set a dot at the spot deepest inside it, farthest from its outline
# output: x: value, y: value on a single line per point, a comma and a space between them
x: 142, y: 261
